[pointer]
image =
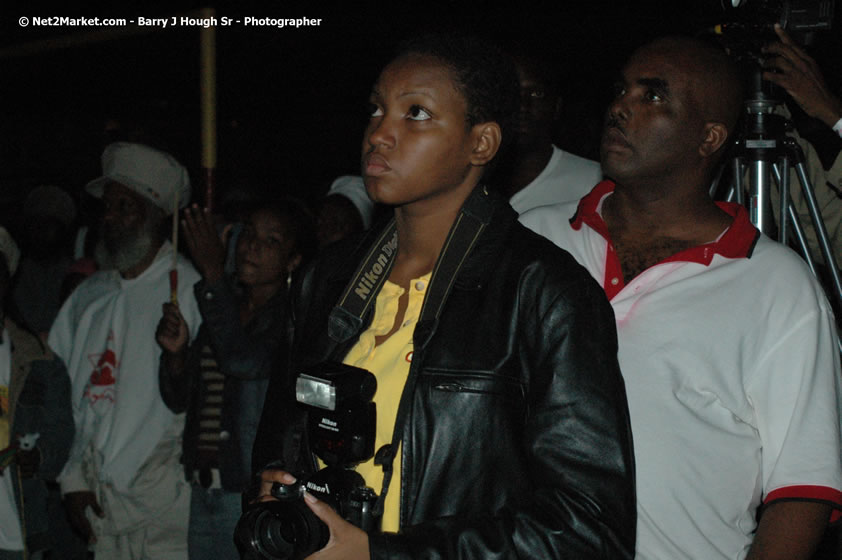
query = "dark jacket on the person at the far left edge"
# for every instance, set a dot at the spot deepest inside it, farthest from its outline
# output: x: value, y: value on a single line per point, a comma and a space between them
x: 39, y: 402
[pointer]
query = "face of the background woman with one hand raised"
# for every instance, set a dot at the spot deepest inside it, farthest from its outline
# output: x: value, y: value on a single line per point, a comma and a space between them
x: 263, y: 250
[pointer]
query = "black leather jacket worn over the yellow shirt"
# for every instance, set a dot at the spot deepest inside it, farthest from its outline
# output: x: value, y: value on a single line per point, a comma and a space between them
x: 517, y: 444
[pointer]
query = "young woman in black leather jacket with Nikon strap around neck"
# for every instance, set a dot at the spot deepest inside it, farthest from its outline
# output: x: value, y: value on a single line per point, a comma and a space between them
x: 501, y: 409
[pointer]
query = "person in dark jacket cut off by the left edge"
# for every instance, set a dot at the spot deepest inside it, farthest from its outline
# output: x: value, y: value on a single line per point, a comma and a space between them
x: 36, y: 429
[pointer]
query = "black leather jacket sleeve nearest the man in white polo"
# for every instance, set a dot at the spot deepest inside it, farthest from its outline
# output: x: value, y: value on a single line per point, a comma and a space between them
x: 576, y: 435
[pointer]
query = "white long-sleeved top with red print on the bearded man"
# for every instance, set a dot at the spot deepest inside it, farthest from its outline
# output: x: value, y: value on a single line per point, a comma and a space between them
x: 105, y: 334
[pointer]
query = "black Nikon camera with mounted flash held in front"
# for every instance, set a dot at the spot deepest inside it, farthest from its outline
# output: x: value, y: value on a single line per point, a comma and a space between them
x: 341, y: 423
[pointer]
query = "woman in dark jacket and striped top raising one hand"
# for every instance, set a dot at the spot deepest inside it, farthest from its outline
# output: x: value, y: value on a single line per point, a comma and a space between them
x: 220, y: 380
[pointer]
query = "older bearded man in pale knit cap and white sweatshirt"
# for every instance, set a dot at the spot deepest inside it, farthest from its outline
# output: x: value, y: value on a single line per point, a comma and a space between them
x: 123, y: 486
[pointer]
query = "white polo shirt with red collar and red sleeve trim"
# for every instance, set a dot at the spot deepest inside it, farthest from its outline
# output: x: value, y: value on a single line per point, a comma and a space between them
x: 732, y: 374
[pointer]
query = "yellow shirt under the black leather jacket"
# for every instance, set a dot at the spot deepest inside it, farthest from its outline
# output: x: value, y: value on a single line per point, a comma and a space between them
x: 389, y: 363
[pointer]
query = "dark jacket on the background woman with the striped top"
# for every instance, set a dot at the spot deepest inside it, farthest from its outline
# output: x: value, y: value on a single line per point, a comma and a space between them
x: 246, y: 355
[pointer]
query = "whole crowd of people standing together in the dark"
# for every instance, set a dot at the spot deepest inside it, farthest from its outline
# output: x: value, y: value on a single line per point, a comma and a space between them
x: 573, y: 359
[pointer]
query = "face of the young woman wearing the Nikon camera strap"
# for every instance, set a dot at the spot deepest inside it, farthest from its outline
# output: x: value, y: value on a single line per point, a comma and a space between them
x: 418, y: 145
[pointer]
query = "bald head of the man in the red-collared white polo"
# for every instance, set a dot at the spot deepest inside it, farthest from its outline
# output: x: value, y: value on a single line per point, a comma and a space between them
x: 677, y: 101
